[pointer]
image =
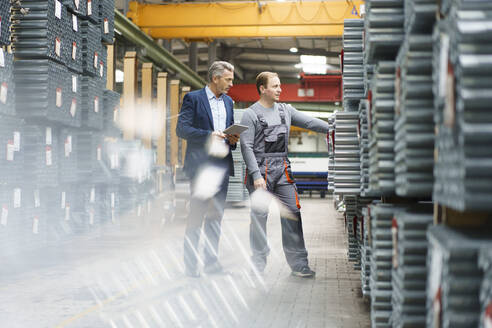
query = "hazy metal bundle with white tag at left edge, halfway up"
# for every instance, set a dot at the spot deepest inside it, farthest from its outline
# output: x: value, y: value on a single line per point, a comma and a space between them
x: 12, y: 144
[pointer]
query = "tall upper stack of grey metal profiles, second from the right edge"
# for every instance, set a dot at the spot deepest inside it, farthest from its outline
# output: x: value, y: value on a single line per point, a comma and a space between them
x: 414, y: 126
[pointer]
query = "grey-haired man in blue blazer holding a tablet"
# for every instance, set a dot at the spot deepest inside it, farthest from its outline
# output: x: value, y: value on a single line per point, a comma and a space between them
x: 205, y: 113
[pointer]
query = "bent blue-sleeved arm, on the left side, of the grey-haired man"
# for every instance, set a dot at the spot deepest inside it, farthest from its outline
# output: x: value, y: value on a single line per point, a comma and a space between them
x: 185, y: 128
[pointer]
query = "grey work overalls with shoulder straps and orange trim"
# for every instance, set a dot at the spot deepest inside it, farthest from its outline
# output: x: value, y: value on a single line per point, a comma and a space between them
x: 270, y: 149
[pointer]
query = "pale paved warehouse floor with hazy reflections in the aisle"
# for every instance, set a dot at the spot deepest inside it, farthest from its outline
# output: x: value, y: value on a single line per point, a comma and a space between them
x: 133, y: 278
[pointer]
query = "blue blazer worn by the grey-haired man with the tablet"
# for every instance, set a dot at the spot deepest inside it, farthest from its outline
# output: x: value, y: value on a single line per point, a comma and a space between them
x: 195, y: 124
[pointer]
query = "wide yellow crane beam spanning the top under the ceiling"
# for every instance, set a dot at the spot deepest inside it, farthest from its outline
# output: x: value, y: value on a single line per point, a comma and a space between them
x: 244, y: 19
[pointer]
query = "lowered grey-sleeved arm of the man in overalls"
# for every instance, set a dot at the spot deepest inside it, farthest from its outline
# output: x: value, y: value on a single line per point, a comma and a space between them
x: 247, y: 142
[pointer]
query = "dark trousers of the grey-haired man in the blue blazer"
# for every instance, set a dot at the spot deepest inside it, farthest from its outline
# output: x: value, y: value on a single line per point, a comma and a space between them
x: 207, y: 213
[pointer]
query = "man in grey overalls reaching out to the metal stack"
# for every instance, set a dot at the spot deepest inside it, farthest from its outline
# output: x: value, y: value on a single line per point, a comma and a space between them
x: 264, y: 148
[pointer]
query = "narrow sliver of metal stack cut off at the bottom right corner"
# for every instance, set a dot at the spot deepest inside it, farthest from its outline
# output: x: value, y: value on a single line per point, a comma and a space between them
x: 485, y: 264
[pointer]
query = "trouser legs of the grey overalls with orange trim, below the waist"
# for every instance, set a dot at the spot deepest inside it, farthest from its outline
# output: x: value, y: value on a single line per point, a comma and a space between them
x: 281, y: 184
